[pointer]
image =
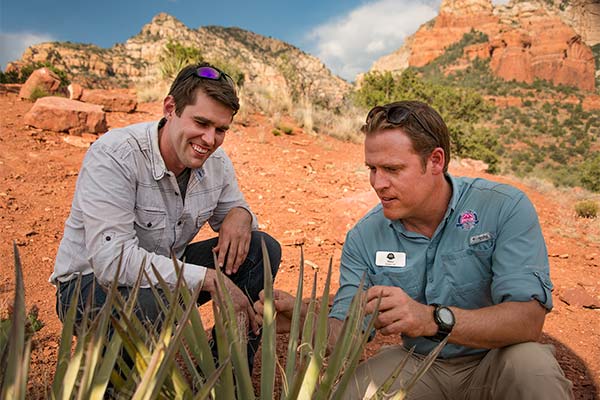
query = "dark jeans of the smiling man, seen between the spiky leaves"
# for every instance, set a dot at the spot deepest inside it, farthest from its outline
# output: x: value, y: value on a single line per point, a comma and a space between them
x: 249, y: 278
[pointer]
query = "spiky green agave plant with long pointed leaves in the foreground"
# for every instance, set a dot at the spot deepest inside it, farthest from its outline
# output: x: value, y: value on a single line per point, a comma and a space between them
x: 119, y: 356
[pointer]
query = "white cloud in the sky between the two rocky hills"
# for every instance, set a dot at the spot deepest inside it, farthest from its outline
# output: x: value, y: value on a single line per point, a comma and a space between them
x: 349, y: 44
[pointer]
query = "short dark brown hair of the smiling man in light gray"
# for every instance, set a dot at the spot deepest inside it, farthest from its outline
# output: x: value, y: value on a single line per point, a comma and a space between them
x: 183, y: 88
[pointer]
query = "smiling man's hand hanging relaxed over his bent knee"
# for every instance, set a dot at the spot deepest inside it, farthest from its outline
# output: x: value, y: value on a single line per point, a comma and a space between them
x: 234, y: 239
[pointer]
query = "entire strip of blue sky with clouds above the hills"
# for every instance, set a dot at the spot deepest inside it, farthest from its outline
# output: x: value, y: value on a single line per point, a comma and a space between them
x: 347, y: 35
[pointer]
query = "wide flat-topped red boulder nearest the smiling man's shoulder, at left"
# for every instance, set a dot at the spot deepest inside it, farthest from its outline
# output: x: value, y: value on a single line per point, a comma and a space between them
x: 64, y: 115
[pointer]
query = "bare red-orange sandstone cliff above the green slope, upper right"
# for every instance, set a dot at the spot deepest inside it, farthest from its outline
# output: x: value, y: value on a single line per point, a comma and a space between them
x: 526, y: 40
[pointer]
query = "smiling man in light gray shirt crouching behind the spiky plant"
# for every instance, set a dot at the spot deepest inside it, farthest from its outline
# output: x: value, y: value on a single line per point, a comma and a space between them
x: 143, y: 193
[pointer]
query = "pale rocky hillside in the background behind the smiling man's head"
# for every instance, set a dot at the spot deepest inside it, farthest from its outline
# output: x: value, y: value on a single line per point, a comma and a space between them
x: 277, y: 69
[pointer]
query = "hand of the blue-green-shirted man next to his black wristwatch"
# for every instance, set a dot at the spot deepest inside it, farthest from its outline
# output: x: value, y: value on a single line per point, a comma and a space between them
x: 400, y: 314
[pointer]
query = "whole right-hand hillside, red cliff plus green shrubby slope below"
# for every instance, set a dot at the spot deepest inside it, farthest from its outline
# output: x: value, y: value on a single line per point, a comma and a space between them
x: 515, y: 83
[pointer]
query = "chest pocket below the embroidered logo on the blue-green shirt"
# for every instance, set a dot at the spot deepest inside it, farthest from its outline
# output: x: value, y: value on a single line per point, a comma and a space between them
x: 469, y: 273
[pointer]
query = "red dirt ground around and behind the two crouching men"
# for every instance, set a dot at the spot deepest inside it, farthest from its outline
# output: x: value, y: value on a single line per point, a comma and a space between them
x: 305, y: 189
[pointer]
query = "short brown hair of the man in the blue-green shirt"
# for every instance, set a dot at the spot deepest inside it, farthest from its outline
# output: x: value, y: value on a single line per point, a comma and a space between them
x: 422, y: 124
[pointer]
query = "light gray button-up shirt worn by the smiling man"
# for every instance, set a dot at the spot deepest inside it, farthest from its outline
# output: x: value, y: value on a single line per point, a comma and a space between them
x: 127, y: 201
